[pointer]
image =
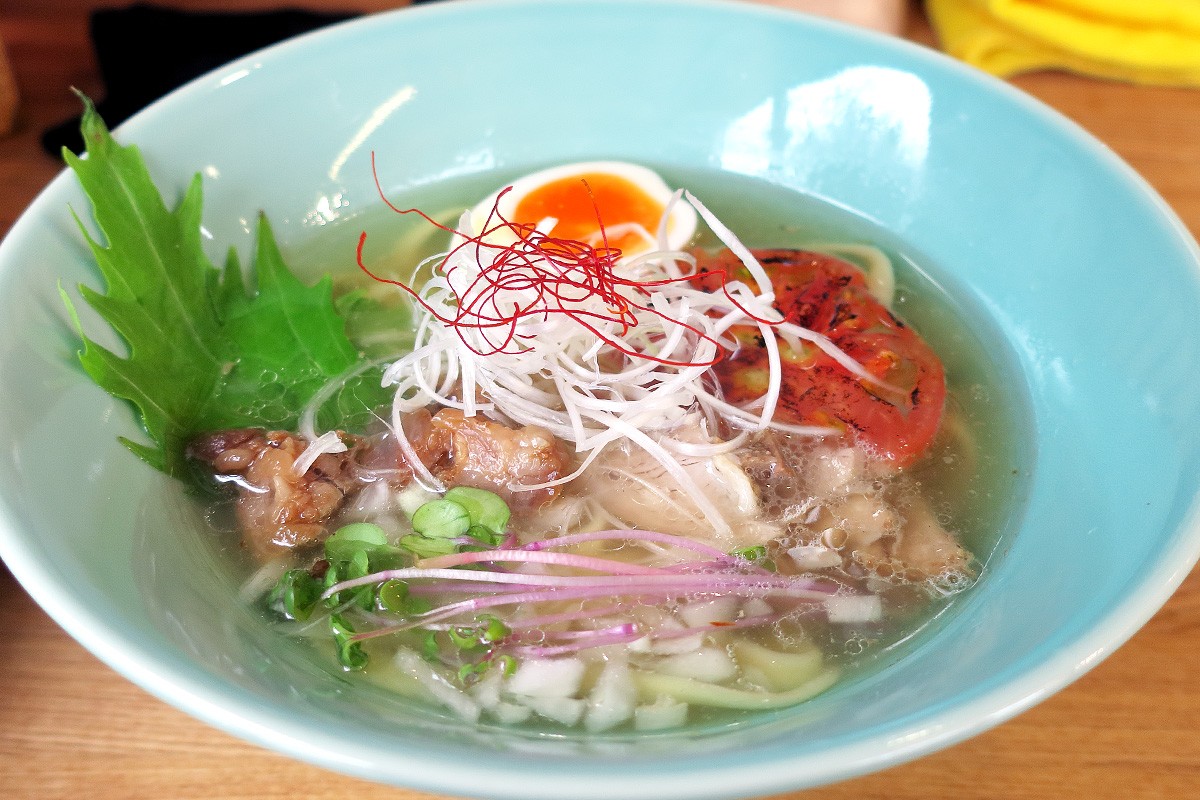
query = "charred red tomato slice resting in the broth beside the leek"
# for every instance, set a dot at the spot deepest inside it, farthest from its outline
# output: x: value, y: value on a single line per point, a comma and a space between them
x: 829, y: 296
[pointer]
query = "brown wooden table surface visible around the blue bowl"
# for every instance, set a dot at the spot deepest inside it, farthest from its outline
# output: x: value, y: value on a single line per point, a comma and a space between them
x: 73, y: 729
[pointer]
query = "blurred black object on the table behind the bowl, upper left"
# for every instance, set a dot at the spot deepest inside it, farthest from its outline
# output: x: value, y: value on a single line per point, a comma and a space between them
x: 146, y: 51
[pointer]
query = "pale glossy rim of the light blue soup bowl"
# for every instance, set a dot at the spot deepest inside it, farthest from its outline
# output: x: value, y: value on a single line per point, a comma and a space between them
x: 187, y: 687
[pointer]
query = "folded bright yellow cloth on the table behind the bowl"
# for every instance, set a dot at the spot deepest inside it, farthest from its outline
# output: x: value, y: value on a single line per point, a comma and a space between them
x: 1142, y: 41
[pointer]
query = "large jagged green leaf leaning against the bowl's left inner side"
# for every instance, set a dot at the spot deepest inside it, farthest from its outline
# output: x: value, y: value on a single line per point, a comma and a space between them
x: 205, y: 352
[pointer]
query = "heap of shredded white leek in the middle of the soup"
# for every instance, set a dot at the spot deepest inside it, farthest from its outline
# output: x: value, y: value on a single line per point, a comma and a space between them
x: 547, y: 370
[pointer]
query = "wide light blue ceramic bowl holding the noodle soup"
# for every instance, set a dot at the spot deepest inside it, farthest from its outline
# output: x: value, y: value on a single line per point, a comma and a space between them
x: 1088, y: 282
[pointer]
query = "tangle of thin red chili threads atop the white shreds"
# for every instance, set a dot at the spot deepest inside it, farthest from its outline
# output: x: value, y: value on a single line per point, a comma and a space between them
x: 562, y: 274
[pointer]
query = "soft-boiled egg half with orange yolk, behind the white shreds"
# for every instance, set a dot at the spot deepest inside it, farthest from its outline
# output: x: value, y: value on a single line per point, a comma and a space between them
x: 611, y: 203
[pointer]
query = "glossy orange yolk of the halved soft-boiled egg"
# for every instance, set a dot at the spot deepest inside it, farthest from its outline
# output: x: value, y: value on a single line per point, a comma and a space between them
x: 578, y: 201
